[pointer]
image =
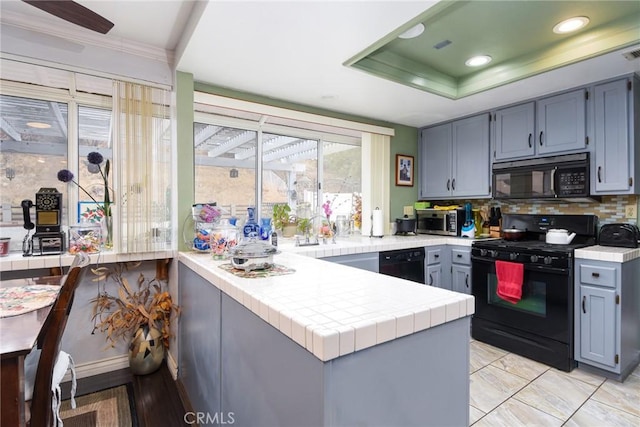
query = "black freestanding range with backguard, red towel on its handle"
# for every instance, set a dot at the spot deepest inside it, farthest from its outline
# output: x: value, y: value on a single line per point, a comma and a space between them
x: 540, y: 325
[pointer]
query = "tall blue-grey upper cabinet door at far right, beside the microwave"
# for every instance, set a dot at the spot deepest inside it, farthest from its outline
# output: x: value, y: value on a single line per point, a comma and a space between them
x: 611, y: 138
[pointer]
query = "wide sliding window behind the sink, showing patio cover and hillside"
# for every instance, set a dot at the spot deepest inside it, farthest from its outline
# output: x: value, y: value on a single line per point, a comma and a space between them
x: 298, y: 165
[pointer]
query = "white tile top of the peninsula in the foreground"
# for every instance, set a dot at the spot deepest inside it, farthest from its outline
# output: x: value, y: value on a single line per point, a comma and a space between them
x: 333, y: 310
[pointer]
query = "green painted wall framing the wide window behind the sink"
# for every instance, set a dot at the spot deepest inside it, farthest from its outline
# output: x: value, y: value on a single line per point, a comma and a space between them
x: 404, y: 141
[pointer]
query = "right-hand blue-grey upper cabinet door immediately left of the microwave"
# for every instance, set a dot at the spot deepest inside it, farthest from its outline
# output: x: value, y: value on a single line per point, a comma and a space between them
x: 471, y: 161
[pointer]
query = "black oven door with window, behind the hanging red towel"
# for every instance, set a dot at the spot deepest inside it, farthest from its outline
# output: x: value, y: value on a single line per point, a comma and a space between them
x: 545, y: 308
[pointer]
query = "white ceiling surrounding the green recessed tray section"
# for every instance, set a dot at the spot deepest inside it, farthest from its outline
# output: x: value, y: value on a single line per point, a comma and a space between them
x: 295, y: 51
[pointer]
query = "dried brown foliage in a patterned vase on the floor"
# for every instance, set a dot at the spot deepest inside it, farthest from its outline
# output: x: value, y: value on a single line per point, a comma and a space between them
x: 139, y: 313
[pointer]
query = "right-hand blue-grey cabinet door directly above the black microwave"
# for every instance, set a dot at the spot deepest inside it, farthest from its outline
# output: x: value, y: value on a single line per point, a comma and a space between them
x: 561, y: 123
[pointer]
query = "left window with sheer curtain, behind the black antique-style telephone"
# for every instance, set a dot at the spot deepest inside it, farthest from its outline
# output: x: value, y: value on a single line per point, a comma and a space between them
x: 51, y: 119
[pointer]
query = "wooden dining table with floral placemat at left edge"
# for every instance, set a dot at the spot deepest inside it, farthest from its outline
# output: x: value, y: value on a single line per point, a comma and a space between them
x: 25, y: 305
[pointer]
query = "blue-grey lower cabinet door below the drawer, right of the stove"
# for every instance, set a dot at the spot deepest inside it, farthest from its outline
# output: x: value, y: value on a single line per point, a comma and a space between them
x: 598, y: 324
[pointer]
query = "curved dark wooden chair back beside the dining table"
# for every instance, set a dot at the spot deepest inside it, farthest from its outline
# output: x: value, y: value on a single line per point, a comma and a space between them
x: 41, y: 403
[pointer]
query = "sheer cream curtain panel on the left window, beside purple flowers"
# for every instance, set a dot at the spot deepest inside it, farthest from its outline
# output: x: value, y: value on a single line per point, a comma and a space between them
x: 142, y: 129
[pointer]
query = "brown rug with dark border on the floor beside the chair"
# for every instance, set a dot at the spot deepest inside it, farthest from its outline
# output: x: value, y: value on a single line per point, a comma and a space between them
x: 113, y: 407
